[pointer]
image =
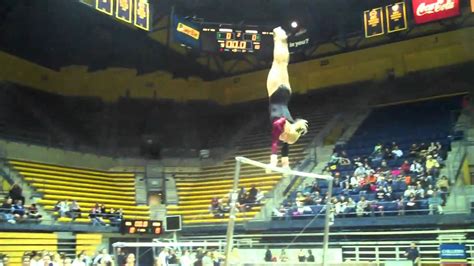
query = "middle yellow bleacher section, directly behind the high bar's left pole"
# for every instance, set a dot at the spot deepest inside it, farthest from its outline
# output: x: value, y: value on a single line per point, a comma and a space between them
x: 195, y: 190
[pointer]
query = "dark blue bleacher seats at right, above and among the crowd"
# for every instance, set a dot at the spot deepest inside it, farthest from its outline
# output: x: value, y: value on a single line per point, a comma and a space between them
x: 405, y: 124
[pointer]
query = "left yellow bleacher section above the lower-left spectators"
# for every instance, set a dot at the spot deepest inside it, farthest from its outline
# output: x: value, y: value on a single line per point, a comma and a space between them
x: 87, y: 187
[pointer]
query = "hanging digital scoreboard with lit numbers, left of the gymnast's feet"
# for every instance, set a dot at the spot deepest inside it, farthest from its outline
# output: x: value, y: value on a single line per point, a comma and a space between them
x: 235, y: 40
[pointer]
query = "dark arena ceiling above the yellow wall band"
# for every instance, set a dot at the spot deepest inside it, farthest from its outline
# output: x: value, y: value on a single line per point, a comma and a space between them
x: 57, y: 33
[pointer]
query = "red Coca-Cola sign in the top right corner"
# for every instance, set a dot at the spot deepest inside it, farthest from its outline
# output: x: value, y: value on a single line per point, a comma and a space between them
x: 430, y: 10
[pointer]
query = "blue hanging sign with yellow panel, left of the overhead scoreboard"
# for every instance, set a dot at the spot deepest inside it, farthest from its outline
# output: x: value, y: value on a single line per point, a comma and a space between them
x: 186, y: 32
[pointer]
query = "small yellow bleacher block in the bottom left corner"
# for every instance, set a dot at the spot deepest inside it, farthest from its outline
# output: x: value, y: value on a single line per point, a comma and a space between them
x: 15, y: 244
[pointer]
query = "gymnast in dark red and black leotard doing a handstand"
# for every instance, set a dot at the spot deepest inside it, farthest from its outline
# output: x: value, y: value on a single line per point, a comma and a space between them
x: 285, y: 129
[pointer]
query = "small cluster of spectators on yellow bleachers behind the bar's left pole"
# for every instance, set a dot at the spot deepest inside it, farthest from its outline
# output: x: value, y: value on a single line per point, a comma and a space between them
x: 245, y: 201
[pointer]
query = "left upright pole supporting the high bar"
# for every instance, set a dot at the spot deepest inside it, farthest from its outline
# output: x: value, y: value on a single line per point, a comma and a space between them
x: 231, y: 224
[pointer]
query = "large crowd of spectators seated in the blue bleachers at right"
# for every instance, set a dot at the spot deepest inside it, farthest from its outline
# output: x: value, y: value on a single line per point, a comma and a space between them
x: 388, y: 180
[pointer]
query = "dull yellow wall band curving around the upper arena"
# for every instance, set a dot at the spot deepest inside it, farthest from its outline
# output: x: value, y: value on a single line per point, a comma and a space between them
x: 378, y: 63
